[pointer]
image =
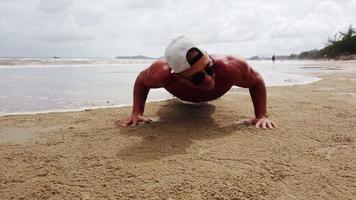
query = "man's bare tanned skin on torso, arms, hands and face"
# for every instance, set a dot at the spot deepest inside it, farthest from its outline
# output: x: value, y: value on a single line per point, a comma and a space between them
x: 229, y: 71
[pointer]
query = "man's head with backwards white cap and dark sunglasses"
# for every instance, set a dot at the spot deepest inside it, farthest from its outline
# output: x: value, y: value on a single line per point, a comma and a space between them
x: 190, y: 62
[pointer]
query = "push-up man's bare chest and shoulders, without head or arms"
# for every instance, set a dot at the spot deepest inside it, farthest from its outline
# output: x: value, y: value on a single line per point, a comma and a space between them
x: 226, y: 70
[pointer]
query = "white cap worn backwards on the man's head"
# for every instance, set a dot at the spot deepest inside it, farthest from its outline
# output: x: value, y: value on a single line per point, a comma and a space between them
x: 176, y: 53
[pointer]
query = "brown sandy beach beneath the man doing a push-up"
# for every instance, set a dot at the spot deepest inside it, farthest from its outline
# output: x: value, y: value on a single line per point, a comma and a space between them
x: 190, y: 151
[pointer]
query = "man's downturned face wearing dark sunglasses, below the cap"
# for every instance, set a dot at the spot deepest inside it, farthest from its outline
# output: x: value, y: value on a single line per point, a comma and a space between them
x: 201, y: 74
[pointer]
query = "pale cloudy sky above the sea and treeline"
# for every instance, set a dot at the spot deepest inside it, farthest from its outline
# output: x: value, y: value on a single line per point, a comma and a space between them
x: 108, y: 28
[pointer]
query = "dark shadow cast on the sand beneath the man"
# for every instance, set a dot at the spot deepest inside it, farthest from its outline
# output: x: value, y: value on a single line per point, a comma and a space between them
x: 179, y: 125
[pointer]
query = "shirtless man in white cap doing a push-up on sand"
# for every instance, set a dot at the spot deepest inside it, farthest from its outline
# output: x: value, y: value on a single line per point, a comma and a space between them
x: 191, y: 74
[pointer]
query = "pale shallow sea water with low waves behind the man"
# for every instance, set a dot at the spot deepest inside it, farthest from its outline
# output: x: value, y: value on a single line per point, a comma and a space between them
x: 36, y: 85
